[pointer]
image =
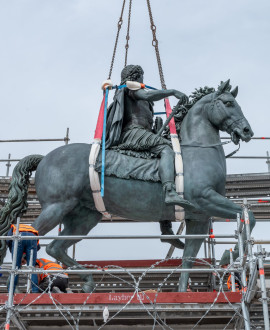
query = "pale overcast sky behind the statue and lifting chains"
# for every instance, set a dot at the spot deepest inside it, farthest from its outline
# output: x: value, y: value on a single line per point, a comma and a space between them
x: 55, y: 54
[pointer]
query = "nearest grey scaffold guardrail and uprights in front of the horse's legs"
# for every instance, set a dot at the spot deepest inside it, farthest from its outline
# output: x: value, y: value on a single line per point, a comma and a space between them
x: 248, y: 263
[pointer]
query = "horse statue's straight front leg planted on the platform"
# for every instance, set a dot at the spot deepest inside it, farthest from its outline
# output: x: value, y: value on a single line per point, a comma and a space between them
x: 192, y: 247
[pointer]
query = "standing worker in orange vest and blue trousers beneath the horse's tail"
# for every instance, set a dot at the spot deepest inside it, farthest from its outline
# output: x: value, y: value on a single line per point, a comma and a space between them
x: 25, y: 247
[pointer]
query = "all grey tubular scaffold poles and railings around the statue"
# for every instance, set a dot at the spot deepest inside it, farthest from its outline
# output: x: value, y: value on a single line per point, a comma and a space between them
x: 247, y: 263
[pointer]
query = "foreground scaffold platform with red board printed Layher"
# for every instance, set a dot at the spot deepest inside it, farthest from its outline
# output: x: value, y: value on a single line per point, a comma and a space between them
x: 178, y: 310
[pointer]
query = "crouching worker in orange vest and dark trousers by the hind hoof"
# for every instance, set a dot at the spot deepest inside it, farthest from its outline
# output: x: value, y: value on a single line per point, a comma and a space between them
x: 57, y: 283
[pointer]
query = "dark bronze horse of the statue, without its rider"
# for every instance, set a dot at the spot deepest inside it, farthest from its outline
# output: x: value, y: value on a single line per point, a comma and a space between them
x: 63, y: 189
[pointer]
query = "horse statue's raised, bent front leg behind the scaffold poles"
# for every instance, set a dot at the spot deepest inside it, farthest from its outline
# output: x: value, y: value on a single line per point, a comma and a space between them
x: 217, y: 205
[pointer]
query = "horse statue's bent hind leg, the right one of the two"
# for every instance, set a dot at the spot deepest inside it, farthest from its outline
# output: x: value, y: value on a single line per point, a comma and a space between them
x: 79, y: 222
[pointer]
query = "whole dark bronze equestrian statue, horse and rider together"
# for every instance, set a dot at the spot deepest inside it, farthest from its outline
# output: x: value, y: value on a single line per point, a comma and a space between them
x: 62, y: 177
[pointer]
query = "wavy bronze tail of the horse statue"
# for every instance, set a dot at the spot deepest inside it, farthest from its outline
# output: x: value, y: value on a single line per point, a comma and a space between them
x: 16, y: 203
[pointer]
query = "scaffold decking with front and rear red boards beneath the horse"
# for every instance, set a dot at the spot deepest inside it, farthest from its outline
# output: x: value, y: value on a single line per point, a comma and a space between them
x: 129, y: 308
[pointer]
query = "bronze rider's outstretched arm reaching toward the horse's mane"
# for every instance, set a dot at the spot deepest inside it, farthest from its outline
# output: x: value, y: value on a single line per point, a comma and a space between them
x: 157, y: 95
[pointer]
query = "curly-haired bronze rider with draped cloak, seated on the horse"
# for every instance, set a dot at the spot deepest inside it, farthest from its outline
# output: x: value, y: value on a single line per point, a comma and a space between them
x: 130, y: 123
